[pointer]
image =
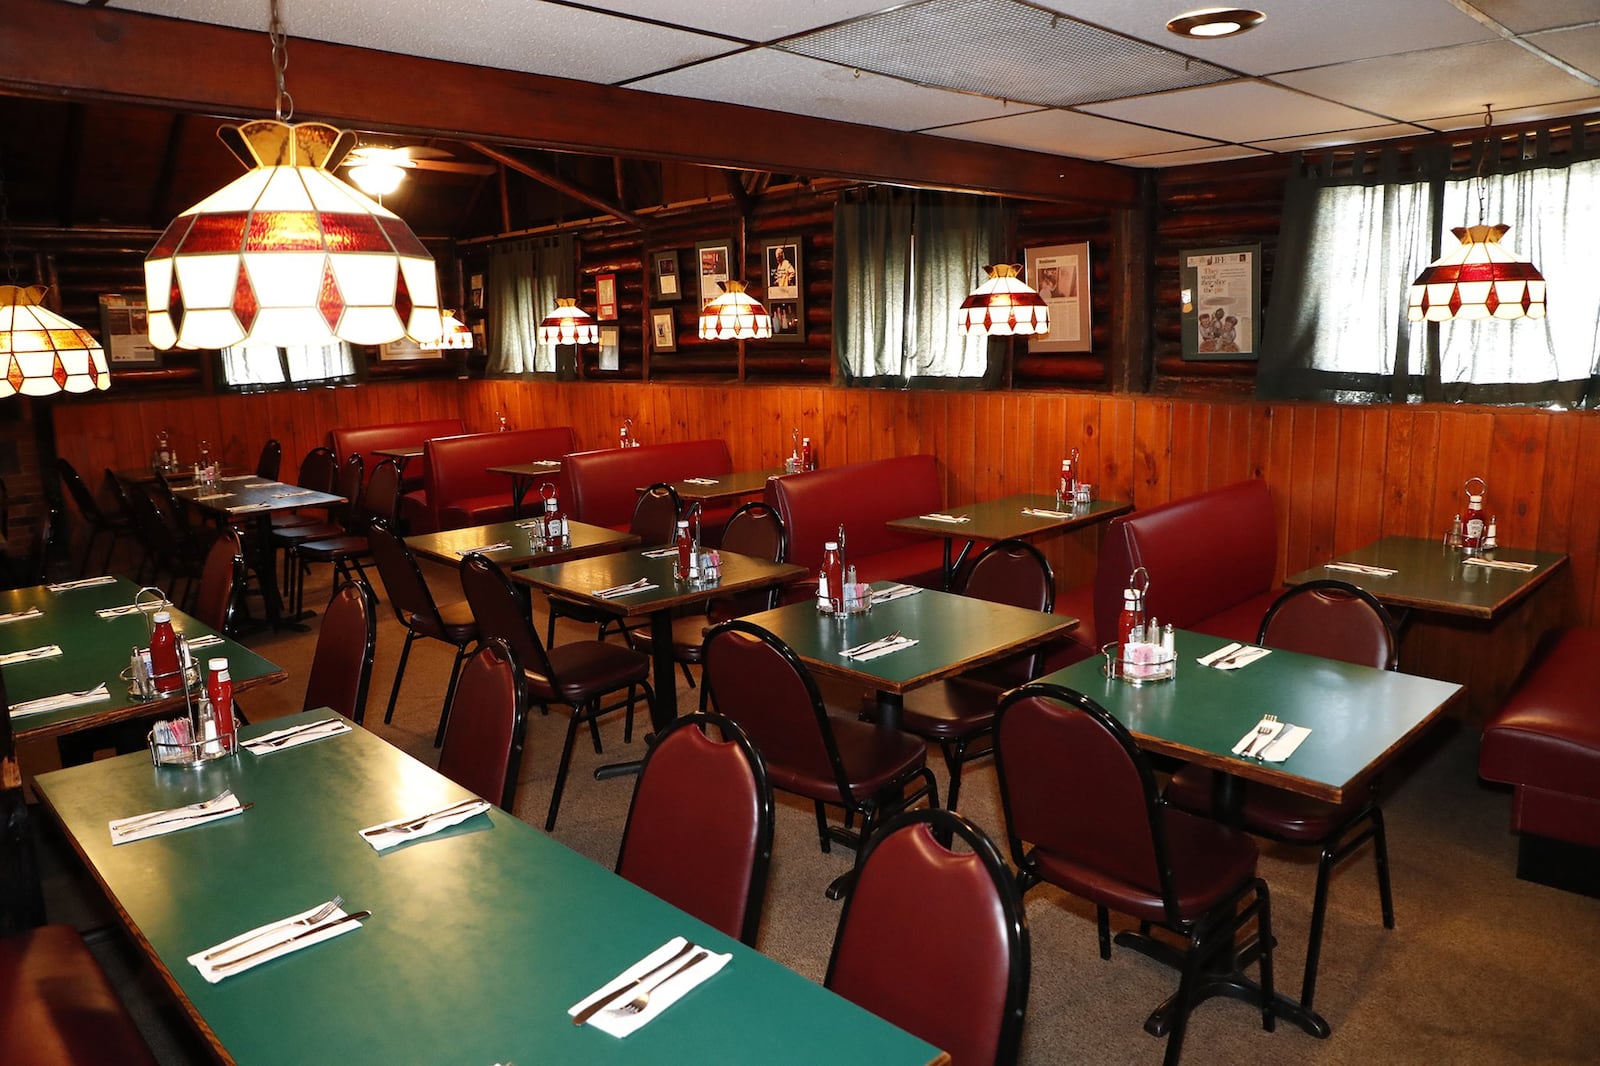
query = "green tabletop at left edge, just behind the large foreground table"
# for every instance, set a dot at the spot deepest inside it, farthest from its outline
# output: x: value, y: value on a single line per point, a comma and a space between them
x: 97, y: 651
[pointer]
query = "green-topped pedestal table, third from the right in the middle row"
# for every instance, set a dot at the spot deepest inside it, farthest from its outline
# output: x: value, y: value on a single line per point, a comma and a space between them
x: 657, y: 598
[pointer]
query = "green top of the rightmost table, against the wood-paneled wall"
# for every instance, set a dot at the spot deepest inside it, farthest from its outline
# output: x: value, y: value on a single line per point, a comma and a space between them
x: 1438, y: 579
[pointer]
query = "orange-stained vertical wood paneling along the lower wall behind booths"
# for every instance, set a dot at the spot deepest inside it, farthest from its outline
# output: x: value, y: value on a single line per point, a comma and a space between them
x: 1342, y: 476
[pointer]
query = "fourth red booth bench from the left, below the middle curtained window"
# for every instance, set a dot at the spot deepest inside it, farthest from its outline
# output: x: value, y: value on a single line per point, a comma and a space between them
x: 865, y: 497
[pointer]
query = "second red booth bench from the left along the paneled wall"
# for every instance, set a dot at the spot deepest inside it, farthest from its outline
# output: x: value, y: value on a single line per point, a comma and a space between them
x: 458, y: 489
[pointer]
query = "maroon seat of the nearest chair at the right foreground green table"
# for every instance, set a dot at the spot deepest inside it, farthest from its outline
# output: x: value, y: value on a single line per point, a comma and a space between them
x: 1209, y: 860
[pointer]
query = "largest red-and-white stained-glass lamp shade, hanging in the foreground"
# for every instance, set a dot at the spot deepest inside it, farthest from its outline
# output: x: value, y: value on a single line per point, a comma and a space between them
x: 289, y: 255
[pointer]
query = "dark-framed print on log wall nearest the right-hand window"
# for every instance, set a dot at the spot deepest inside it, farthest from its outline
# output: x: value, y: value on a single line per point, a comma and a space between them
x: 1222, y: 302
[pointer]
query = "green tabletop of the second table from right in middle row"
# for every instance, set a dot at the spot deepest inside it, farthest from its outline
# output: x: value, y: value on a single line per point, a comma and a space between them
x: 954, y: 635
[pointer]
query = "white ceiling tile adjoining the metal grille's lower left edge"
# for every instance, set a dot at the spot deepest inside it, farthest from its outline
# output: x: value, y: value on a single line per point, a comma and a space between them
x: 780, y: 81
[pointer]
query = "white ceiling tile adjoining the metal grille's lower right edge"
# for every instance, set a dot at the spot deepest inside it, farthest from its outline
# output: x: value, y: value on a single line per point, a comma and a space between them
x: 1236, y: 111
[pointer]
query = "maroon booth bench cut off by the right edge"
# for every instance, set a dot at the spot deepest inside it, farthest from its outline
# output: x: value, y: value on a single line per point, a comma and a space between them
x: 1545, y: 743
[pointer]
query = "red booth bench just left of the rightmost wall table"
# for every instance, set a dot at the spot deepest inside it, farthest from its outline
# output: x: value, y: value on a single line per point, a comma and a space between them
x: 1212, y: 561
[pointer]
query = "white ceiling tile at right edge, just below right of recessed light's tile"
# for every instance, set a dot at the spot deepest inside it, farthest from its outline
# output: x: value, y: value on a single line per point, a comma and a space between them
x: 1442, y: 82
